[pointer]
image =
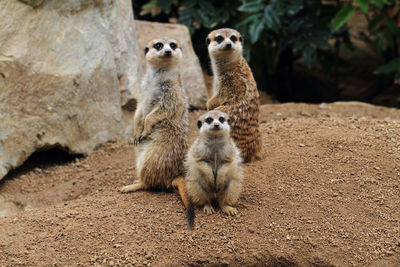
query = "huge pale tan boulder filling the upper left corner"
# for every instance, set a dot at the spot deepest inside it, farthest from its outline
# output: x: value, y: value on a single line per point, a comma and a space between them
x: 67, y: 73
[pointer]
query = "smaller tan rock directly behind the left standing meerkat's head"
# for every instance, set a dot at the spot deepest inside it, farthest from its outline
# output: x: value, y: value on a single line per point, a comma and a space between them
x: 191, y: 73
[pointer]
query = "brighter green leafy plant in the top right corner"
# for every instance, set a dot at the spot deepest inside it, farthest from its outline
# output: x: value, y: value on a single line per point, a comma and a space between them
x: 383, y: 34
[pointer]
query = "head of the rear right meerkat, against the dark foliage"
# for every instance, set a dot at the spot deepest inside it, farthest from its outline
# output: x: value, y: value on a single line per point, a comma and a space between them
x: 224, y: 43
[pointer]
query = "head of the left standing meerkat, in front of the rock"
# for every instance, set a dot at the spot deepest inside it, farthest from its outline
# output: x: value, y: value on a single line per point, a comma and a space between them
x: 163, y: 52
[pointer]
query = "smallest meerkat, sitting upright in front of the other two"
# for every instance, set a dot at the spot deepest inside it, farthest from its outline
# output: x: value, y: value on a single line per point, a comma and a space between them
x: 213, y: 165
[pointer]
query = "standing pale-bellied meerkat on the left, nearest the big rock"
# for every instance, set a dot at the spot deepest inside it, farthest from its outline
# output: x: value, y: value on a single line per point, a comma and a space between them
x: 161, y: 121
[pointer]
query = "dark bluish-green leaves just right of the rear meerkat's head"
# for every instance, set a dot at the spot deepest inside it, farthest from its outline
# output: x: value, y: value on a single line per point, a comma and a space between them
x: 301, y: 26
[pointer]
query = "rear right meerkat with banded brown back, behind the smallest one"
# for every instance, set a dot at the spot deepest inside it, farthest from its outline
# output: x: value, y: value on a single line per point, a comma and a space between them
x: 235, y: 90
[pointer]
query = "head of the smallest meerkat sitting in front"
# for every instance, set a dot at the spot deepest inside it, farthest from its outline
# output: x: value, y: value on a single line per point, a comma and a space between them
x: 215, y: 123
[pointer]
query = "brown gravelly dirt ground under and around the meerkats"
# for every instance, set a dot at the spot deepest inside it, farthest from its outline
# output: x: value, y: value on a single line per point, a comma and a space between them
x: 327, y: 193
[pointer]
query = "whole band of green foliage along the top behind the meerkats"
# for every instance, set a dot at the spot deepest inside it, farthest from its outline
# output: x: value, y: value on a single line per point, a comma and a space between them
x: 278, y: 32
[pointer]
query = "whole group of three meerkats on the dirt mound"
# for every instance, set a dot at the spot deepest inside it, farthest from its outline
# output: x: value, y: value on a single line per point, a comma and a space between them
x: 228, y: 132
